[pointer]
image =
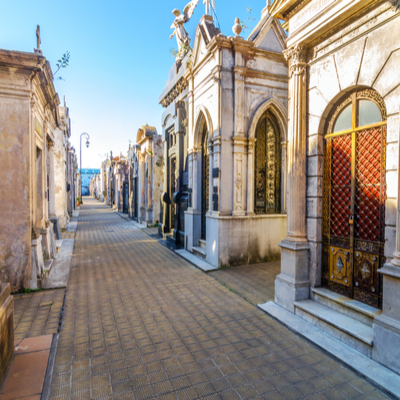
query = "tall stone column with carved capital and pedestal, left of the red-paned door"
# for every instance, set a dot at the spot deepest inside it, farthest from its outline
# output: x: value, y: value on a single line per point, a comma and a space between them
x: 293, y: 284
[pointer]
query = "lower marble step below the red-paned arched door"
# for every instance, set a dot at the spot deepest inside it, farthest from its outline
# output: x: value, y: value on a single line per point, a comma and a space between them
x: 354, y: 333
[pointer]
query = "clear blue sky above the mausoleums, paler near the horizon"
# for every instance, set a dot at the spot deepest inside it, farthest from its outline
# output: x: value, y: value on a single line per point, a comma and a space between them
x: 120, y: 58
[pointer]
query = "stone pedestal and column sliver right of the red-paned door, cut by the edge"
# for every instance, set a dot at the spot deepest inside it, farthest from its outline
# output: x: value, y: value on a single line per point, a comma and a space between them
x: 387, y: 325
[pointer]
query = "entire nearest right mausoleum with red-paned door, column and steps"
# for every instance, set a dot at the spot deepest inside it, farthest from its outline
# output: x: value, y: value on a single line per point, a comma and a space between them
x: 340, y: 261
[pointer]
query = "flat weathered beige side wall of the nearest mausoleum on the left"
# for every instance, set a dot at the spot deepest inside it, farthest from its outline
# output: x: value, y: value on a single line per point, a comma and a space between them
x: 15, y: 187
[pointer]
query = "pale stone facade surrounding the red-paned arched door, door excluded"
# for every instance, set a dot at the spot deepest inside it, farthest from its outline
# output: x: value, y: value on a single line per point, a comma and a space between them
x: 338, y: 49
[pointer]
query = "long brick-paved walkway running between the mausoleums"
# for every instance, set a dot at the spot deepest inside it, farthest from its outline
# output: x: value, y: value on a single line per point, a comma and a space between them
x: 141, y: 323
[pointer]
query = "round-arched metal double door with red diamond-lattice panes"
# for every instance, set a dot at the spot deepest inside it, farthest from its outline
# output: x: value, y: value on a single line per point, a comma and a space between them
x: 354, y: 196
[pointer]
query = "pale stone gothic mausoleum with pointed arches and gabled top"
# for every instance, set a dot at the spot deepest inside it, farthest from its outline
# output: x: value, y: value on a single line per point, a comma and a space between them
x: 232, y: 84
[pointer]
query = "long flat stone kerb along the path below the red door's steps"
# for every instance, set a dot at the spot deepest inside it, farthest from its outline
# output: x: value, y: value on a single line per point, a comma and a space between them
x: 380, y: 376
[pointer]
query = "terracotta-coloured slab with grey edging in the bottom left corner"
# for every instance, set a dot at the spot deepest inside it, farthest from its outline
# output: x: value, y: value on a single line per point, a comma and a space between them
x: 31, y: 370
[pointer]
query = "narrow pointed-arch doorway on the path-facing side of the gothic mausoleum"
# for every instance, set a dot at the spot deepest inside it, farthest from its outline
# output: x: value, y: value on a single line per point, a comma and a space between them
x: 205, y: 174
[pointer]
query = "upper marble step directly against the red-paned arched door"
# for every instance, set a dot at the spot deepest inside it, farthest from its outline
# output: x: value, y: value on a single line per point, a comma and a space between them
x: 352, y: 308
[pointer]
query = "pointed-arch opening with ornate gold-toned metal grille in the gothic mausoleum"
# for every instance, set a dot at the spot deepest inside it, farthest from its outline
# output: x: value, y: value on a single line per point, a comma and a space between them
x: 267, y: 196
